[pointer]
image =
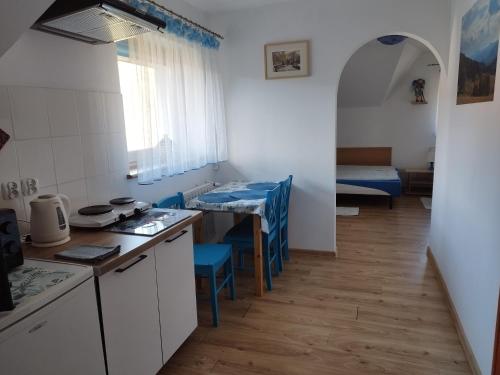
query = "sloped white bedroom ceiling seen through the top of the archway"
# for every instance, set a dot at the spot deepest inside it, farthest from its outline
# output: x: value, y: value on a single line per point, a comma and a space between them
x: 374, y: 71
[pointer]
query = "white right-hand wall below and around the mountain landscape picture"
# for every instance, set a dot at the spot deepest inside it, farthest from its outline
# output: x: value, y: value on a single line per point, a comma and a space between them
x: 465, y: 236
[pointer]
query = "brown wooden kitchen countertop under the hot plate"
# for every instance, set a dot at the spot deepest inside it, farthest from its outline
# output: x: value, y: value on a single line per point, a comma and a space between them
x: 131, y: 245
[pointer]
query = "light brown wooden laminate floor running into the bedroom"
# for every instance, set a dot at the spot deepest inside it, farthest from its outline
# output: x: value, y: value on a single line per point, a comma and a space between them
x: 376, y: 309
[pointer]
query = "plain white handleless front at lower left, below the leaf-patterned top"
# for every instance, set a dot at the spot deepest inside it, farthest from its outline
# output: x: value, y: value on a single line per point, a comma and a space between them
x: 61, y: 338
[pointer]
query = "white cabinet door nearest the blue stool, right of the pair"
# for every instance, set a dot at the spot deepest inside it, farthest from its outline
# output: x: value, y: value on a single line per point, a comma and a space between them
x: 176, y: 290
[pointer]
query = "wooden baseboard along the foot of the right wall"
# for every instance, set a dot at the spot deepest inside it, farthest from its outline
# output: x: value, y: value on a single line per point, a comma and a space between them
x: 469, y: 354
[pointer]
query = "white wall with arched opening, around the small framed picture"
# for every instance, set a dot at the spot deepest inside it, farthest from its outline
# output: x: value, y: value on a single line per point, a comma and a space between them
x: 288, y: 126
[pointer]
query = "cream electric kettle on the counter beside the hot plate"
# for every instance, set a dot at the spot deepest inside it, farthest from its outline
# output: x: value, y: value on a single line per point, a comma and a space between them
x: 49, y: 220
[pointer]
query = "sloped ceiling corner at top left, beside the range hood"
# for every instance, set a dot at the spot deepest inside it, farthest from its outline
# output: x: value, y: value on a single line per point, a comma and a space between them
x: 16, y: 17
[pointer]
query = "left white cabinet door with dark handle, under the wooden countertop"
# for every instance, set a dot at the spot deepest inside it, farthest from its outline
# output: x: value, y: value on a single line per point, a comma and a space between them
x: 129, y: 305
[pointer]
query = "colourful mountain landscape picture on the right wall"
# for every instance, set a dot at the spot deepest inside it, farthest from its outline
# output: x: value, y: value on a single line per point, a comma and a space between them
x: 479, y: 53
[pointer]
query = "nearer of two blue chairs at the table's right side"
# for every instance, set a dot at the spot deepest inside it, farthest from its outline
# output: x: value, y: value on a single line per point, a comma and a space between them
x: 241, y: 235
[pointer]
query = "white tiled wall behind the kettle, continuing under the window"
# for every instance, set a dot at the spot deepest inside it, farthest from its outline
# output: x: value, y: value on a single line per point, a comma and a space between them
x: 47, y: 78
